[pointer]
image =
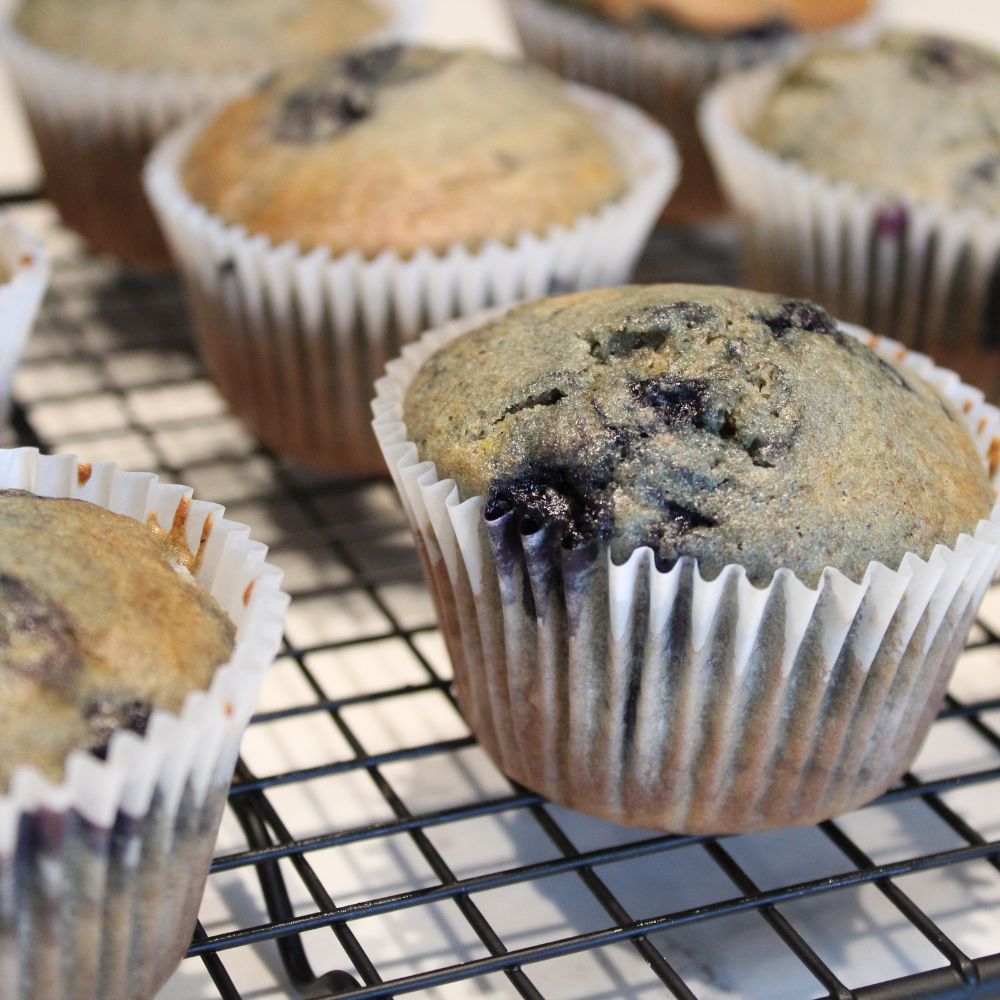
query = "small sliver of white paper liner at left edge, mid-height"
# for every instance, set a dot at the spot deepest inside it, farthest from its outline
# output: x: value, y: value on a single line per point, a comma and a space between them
x: 26, y: 267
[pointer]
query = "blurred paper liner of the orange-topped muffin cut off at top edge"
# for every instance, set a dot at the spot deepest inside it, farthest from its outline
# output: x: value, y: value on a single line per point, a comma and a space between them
x: 661, y: 71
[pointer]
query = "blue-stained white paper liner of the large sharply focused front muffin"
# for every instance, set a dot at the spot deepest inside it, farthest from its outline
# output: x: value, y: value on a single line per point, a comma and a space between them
x: 663, y: 700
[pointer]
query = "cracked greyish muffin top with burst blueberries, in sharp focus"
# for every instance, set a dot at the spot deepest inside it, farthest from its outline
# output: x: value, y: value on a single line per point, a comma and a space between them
x: 726, y: 425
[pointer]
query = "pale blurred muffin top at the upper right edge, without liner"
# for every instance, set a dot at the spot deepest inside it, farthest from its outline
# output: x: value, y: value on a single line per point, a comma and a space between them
x: 914, y: 116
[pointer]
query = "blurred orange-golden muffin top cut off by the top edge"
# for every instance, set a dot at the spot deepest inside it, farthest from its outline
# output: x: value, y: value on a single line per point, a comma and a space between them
x: 728, y: 17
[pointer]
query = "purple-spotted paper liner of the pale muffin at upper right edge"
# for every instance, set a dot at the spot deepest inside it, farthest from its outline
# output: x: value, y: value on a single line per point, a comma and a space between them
x: 926, y: 274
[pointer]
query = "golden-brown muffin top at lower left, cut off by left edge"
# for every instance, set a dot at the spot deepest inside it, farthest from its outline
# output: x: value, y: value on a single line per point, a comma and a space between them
x: 100, y: 622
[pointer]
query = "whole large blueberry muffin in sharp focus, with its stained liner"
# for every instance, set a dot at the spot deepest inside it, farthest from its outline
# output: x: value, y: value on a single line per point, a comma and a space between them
x: 703, y: 560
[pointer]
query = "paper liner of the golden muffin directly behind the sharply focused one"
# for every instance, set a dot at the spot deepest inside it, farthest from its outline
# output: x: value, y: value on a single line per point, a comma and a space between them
x: 295, y: 339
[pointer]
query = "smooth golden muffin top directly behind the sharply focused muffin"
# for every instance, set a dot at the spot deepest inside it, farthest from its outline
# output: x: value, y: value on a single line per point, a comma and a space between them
x: 403, y: 148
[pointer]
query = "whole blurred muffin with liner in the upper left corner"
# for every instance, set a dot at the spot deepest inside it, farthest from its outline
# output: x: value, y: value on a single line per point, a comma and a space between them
x: 102, y: 80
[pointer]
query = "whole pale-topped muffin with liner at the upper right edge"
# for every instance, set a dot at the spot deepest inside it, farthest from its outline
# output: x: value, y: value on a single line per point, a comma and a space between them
x: 869, y: 178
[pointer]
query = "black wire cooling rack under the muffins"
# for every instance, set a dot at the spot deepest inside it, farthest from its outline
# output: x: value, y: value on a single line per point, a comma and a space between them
x: 372, y: 850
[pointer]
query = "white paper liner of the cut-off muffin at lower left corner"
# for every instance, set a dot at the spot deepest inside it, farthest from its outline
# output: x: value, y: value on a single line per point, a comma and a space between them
x: 101, y: 875
